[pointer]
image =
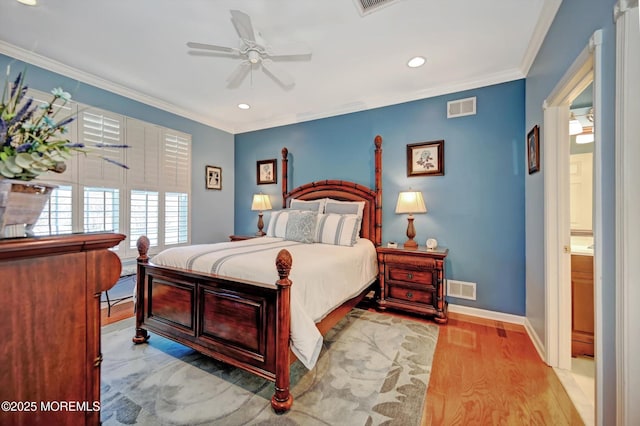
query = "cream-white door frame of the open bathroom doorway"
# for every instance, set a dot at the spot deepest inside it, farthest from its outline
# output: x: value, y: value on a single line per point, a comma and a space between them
x: 557, y: 234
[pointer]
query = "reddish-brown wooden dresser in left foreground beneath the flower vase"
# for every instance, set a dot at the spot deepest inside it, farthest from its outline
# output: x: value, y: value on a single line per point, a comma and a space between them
x: 50, y: 330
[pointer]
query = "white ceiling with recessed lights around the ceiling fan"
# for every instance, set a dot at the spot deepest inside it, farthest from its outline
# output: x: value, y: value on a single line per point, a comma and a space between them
x: 137, y: 48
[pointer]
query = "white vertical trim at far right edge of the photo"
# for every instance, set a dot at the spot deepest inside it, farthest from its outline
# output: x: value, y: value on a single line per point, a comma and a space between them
x: 627, y: 20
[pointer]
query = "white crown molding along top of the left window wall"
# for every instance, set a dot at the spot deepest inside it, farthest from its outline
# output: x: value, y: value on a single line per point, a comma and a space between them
x: 99, y: 82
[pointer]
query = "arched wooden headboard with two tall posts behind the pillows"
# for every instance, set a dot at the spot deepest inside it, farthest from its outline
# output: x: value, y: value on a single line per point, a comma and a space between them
x: 344, y: 191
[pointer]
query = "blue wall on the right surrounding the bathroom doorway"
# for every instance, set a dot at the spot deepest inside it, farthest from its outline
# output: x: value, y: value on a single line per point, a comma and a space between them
x: 574, y: 23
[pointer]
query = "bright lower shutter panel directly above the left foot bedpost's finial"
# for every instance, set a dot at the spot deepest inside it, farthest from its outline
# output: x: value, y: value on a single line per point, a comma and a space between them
x: 143, y: 217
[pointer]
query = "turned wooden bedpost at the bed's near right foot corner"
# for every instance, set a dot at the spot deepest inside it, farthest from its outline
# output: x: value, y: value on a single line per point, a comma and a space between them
x: 282, y: 399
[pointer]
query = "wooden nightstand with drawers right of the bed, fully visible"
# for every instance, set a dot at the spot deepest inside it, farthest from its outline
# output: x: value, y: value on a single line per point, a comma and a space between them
x: 412, y: 280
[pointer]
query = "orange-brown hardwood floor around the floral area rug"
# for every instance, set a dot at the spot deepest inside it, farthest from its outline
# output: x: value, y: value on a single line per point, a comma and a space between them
x: 484, y: 373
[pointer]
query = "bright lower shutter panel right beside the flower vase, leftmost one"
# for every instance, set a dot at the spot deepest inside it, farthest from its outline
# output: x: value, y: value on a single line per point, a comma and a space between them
x: 57, y: 215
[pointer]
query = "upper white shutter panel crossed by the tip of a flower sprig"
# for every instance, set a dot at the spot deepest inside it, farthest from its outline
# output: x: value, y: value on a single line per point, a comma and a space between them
x: 101, y: 132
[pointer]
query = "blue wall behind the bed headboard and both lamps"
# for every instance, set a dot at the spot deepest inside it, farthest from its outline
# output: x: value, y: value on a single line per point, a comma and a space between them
x: 476, y: 209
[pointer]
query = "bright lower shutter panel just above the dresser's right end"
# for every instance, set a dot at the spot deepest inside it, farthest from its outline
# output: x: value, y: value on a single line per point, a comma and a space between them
x: 101, y: 209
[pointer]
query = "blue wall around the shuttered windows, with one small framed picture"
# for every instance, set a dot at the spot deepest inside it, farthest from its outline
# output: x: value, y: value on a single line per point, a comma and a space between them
x: 210, y: 146
